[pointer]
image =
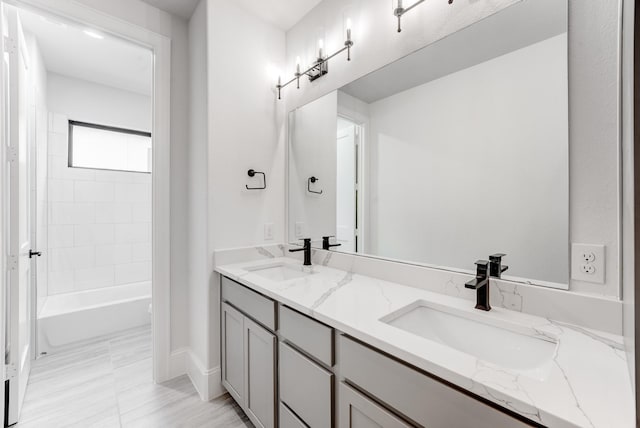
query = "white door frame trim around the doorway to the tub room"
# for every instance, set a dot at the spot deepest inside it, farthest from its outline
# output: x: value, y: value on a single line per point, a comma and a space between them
x: 160, y: 45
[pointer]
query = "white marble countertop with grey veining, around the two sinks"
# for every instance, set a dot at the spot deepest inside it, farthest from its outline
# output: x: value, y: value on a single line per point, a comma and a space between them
x: 586, y: 384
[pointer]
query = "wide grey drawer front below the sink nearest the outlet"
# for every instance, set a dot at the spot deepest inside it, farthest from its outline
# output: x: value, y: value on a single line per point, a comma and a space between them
x: 419, y: 397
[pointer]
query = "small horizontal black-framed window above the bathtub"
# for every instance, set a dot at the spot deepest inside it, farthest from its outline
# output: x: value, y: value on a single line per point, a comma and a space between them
x: 105, y: 147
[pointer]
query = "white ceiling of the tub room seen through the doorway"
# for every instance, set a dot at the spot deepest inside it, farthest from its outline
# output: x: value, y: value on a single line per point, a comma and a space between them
x: 68, y: 50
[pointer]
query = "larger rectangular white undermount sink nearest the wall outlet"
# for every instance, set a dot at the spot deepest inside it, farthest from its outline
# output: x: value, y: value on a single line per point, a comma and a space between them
x: 500, y: 345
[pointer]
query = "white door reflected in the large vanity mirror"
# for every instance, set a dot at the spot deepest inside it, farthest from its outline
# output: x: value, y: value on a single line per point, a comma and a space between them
x: 346, y: 189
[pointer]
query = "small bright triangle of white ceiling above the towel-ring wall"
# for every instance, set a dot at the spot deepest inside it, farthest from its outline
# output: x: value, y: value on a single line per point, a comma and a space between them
x: 284, y: 14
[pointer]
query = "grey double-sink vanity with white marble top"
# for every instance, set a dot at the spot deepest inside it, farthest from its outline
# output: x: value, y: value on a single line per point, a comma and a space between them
x: 316, y: 346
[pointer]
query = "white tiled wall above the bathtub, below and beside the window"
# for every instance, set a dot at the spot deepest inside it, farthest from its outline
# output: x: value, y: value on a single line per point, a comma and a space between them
x: 99, y: 222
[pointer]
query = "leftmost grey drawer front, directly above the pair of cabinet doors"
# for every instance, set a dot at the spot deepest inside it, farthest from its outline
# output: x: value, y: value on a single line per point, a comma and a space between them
x: 255, y: 305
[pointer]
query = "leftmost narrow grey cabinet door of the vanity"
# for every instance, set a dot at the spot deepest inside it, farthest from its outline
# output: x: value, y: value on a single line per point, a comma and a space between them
x: 233, y: 352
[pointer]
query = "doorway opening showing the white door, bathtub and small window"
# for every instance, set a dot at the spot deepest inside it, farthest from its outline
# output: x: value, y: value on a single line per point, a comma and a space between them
x: 81, y: 112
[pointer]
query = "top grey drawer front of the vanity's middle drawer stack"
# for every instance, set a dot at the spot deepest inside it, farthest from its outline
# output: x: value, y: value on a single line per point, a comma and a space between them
x: 307, y: 334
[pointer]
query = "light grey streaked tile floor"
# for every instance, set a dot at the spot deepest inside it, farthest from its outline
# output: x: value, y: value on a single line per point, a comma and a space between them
x: 107, y: 383
